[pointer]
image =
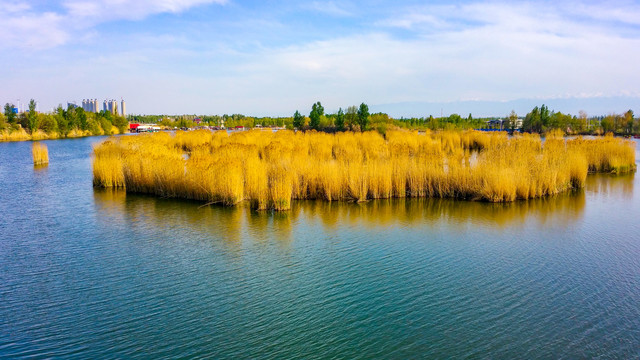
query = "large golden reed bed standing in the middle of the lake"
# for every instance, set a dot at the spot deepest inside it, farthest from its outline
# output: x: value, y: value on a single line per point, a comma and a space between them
x: 269, y: 170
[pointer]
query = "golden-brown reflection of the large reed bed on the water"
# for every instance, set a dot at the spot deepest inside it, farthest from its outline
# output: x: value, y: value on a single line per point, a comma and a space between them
x: 234, y: 224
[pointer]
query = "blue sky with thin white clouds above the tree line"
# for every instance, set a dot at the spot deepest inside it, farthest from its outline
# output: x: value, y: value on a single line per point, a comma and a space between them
x: 271, y: 58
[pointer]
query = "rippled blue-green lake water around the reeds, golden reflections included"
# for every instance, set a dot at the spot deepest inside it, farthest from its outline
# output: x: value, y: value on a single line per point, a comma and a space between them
x: 102, y: 274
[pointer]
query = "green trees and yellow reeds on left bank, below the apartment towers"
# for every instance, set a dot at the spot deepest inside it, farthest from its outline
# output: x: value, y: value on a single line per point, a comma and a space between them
x: 61, y: 123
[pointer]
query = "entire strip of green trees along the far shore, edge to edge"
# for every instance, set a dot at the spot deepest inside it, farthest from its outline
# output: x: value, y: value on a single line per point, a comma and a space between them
x: 353, y: 118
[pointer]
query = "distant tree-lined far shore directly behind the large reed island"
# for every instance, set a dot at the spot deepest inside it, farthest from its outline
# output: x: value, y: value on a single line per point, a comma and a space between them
x: 358, y: 118
